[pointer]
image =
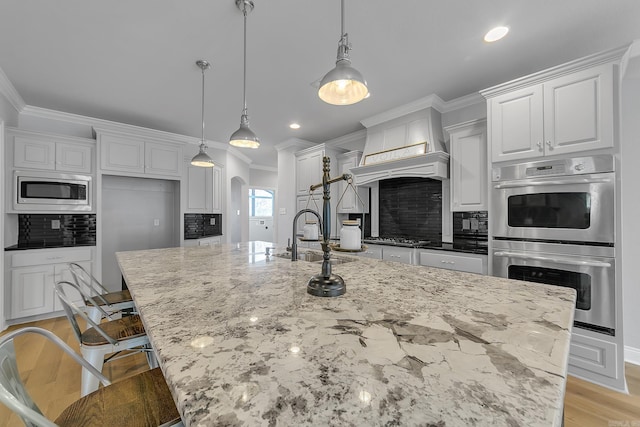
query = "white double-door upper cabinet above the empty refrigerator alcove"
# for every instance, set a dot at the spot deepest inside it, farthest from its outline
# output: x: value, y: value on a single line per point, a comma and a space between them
x: 135, y: 156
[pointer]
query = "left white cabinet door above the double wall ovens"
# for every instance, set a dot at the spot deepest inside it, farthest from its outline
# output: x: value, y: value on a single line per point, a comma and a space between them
x: 516, y: 124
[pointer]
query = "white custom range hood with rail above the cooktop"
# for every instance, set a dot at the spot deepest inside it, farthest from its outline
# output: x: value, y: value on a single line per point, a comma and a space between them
x: 410, y: 145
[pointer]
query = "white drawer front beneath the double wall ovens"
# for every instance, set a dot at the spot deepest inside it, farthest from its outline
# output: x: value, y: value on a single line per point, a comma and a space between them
x: 593, y: 354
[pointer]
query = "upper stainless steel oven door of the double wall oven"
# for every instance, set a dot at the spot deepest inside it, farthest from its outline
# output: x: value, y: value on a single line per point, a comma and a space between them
x: 575, y: 208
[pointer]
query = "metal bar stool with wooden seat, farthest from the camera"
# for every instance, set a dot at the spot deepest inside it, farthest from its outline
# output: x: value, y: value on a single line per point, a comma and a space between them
x: 102, y: 301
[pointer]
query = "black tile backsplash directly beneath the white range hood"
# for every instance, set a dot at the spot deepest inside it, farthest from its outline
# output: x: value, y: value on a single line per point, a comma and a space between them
x: 411, y: 208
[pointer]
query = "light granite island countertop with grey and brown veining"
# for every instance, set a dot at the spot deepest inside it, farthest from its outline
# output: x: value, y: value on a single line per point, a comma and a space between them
x: 241, y: 343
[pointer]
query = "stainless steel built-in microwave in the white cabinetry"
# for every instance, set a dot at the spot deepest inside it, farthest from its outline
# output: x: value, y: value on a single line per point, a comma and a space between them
x: 49, y: 191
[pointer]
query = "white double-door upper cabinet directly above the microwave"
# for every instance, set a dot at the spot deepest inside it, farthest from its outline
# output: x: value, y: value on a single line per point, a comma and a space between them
x: 49, y: 152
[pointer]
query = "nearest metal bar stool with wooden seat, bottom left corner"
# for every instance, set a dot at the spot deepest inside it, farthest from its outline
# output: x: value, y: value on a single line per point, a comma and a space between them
x: 143, y: 400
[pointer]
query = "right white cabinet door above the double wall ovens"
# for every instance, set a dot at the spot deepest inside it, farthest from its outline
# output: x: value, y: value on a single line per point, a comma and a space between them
x: 579, y: 111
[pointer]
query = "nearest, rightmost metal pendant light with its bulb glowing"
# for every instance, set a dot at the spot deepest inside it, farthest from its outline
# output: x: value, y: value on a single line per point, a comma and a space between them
x: 344, y: 85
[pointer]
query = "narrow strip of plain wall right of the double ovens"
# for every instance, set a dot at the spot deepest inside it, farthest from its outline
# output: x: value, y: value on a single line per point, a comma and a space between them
x: 630, y: 205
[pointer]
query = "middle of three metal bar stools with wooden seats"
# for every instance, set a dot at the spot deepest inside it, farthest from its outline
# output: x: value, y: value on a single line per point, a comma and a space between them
x: 122, y: 337
